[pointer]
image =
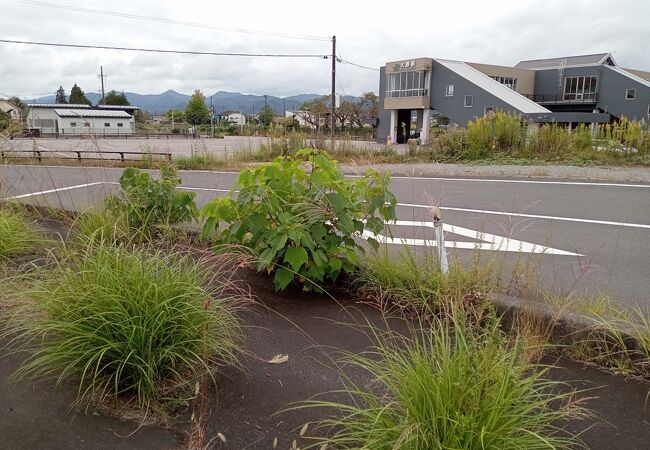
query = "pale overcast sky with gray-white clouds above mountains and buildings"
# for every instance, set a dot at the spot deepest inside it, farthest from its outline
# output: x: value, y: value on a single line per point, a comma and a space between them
x: 368, y: 33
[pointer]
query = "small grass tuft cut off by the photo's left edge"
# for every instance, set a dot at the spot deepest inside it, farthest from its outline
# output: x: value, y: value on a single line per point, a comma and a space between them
x: 18, y: 235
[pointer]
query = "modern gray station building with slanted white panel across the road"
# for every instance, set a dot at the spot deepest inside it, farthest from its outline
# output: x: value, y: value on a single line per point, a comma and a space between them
x: 586, y: 89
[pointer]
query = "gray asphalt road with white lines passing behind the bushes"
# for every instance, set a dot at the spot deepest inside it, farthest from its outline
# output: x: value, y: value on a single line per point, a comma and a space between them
x: 593, y: 237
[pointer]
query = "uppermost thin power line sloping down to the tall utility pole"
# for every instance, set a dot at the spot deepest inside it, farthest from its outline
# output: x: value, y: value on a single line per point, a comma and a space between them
x: 175, y: 22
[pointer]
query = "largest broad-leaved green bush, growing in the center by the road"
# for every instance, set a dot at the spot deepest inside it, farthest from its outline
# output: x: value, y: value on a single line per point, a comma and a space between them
x: 302, y: 224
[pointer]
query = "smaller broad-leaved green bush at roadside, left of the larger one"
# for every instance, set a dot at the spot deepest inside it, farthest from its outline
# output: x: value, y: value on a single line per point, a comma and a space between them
x: 145, y: 202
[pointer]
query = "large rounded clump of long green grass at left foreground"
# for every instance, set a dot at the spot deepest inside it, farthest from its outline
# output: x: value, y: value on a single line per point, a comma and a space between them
x: 137, y: 326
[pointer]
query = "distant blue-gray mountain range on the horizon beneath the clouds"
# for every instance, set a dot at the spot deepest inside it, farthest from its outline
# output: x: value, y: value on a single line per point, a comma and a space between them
x: 222, y: 101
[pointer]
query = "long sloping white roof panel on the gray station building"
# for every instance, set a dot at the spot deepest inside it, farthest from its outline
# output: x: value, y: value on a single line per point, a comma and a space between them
x: 495, y: 88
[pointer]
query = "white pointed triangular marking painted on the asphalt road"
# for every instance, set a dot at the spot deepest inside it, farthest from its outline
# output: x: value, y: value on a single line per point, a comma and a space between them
x: 488, y: 241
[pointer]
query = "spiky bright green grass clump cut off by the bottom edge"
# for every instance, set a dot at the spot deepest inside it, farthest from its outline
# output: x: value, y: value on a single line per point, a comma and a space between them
x: 447, y: 386
